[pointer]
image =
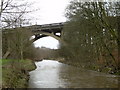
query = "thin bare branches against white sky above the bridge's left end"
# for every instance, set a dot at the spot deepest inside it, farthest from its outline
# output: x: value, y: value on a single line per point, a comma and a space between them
x: 12, y: 12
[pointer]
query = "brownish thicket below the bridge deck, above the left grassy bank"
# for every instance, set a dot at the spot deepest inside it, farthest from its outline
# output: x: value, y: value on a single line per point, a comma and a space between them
x: 17, y: 41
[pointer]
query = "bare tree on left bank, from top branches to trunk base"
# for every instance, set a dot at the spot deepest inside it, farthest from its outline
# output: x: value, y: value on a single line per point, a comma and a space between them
x: 13, y: 18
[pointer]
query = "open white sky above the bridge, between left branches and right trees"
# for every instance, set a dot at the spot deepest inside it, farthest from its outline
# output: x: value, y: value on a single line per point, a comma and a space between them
x: 50, y: 11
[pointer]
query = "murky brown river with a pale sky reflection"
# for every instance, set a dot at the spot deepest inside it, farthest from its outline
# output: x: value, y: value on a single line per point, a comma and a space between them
x: 53, y: 74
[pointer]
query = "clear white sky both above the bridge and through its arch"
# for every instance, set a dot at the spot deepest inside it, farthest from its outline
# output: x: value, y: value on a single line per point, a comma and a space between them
x: 51, y: 11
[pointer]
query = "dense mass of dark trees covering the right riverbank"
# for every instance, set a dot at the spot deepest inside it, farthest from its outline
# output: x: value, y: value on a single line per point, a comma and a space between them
x: 92, y: 35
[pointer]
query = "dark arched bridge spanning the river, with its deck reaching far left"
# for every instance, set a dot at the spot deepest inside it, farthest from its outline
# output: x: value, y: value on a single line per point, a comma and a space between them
x: 39, y: 31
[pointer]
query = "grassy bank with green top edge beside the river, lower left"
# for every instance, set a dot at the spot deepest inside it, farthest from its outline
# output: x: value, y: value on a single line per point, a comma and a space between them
x: 15, y: 73
